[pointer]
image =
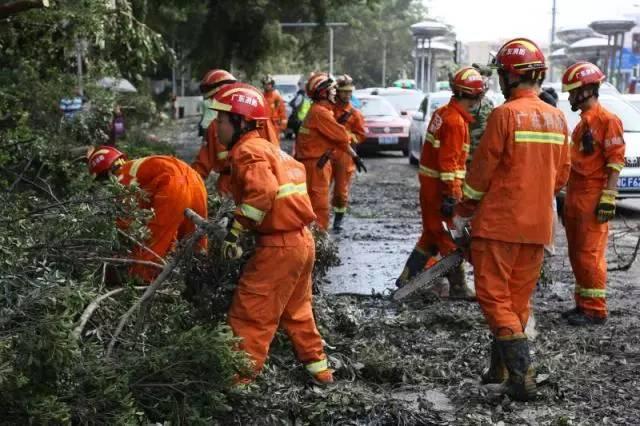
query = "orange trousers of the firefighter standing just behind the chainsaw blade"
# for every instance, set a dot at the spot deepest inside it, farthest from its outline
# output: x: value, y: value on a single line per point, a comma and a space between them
x: 434, y: 240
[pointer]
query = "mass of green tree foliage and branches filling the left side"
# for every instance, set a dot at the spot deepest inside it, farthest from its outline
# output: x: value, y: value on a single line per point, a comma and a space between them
x: 57, y: 227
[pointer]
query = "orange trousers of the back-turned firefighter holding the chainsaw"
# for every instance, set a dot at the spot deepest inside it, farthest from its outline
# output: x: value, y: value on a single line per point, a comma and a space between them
x: 505, y: 277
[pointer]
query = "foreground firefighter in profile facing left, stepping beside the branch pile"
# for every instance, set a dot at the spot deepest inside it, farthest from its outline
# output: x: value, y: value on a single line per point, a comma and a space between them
x: 270, y: 192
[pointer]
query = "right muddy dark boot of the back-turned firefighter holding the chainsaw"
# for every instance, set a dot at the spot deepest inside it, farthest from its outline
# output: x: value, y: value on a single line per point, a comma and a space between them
x: 521, y: 384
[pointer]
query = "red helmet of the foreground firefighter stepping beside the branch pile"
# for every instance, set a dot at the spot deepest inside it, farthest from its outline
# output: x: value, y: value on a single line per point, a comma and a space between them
x: 241, y: 99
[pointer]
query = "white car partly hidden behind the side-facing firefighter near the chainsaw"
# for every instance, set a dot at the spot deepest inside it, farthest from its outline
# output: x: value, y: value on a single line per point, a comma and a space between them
x: 420, y: 119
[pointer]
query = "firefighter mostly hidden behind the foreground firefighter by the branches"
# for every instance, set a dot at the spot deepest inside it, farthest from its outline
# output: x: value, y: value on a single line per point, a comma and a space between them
x: 213, y: 155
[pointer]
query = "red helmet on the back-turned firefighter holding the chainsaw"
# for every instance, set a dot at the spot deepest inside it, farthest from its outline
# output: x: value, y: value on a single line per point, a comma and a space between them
x: 520, y: 56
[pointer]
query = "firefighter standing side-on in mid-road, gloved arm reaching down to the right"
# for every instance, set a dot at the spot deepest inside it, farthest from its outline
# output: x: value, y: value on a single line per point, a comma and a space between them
x: 318, y: 137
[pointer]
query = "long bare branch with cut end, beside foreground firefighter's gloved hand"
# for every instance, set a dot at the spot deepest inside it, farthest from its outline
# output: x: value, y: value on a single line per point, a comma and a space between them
x: 201, y: 230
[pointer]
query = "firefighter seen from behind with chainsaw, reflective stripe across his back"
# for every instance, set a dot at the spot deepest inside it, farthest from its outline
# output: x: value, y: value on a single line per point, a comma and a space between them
x: 521, y: 162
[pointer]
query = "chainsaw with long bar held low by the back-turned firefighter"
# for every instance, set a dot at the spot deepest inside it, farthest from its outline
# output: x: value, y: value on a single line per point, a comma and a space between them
x: 427, y: 278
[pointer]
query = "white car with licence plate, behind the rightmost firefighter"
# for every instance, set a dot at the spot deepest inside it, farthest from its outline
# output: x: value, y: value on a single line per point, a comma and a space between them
x: 629, y: 181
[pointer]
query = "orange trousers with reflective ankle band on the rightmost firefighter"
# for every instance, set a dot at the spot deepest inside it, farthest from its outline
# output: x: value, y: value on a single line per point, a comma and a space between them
x: 587, y: 239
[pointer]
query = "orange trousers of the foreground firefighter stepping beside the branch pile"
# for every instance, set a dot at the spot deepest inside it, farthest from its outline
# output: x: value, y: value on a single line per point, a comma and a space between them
x: 275, y: 289
